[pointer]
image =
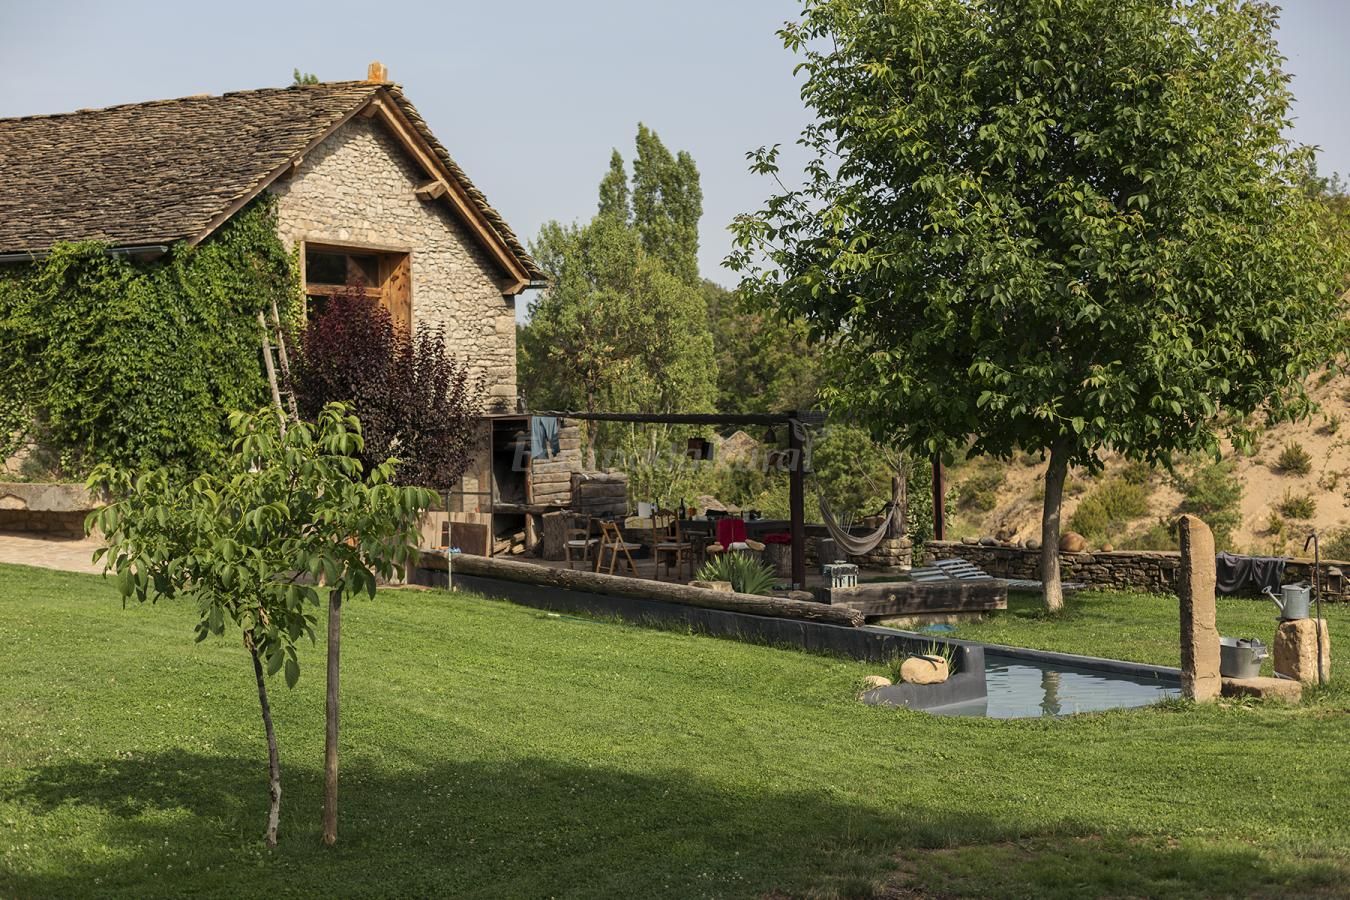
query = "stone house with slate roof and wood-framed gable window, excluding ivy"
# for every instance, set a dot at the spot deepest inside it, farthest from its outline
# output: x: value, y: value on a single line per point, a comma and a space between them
x: 361, y: 181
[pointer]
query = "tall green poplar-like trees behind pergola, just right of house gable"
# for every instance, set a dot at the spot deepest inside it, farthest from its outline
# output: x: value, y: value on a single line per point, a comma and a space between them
x: 619, y: 329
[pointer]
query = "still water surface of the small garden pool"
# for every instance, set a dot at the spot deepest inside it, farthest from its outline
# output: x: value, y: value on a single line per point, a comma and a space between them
x: 1023, y: 689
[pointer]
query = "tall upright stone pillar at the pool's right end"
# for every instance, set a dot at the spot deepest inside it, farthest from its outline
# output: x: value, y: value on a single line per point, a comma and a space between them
x: 1199, y: 632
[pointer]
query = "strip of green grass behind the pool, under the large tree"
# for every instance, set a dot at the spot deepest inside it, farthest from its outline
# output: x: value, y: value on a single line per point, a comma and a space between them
x: 1143, y: 628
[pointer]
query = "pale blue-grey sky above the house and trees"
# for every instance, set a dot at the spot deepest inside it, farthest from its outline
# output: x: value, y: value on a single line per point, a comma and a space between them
x: 530, y: 96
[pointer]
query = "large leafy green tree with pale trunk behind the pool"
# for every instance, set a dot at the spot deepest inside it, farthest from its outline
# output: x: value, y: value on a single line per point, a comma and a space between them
x: 1051, y: 225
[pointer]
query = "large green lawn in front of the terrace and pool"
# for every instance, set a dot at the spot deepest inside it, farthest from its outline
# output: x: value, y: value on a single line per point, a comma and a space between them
x: 493, y: 751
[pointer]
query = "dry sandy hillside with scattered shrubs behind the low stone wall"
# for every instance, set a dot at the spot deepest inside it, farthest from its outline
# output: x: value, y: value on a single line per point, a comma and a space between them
x: 1005, y: 499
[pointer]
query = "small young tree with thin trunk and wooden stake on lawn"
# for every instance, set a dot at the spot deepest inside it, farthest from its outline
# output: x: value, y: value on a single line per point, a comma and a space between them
x: 256, y: 540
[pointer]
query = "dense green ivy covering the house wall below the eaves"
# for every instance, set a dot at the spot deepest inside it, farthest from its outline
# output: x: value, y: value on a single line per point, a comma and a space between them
x: 137, y: 364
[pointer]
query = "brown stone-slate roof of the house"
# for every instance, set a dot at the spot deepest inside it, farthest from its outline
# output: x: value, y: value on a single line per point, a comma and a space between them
x: 160, y: 172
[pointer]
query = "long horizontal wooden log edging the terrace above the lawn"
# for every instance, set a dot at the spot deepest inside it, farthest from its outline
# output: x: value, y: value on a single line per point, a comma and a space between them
x: 643, y: 590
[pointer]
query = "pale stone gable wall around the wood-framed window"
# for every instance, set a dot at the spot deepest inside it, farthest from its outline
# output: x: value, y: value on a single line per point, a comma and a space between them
x: 357, y: 188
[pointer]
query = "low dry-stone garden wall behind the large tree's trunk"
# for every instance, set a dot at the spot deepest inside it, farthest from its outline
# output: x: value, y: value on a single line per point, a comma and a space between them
x: 1155, y: 571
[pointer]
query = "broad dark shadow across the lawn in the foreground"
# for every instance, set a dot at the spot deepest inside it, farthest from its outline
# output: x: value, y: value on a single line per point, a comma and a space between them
x: 186, y: 824
